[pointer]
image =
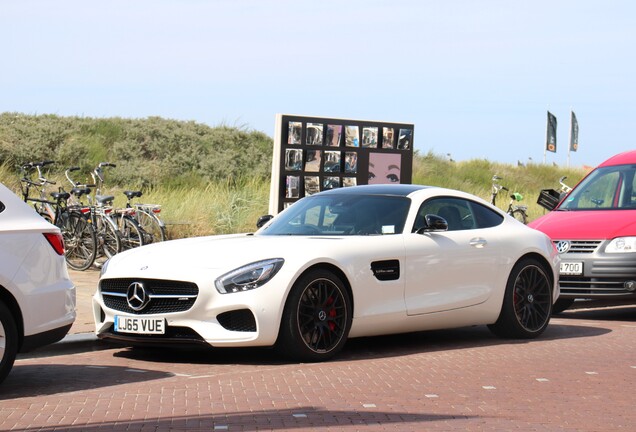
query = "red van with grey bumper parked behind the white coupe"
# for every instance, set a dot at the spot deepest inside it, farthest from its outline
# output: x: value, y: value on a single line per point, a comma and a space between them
x: 594, y: 230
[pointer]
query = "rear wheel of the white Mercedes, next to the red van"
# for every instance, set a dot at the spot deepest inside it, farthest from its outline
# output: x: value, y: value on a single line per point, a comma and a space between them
x: 527, y: 305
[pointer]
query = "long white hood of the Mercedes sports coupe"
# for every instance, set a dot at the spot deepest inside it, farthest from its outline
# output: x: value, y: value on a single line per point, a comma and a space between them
x: 224, y: 252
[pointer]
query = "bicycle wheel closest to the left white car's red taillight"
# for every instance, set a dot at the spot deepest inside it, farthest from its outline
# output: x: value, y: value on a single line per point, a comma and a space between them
x: 80, y: 242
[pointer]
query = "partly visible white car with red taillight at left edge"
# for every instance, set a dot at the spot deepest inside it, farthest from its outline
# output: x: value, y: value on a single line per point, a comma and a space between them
x: 37, y: 297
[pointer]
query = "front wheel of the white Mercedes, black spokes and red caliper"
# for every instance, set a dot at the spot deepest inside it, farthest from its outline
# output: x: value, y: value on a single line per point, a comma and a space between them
x: 317, y: 318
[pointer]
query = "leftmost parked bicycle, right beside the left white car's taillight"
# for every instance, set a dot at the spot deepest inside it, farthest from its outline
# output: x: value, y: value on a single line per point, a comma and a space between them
x: 80, y: 242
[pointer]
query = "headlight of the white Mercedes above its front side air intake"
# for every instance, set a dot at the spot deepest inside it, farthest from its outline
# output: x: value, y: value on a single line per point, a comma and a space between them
x: 249, y: 276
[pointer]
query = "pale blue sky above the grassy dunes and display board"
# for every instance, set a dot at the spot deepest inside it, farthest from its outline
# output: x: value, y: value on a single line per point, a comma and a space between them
x: 475, y: 77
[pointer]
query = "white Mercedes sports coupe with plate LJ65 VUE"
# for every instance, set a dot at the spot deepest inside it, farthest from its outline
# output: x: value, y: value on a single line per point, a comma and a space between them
x: 350, y: 262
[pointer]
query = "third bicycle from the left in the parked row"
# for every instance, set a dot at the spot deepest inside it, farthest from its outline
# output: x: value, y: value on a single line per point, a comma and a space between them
x: 130, y: 232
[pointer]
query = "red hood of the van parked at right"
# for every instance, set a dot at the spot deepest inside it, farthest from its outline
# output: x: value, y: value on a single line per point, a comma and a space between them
x: 587, y: 225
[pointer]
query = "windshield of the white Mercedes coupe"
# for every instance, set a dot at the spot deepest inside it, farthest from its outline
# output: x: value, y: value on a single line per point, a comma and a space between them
x: 342, y: 215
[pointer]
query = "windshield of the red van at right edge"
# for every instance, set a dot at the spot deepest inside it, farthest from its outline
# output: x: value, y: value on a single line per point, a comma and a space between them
x: 606, y: 188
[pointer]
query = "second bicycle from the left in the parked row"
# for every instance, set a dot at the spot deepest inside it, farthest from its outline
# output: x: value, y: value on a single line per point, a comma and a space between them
x: 108, y: 237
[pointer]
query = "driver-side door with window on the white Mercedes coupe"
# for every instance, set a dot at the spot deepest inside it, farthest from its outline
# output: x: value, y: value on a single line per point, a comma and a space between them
x: 457, y: 268
